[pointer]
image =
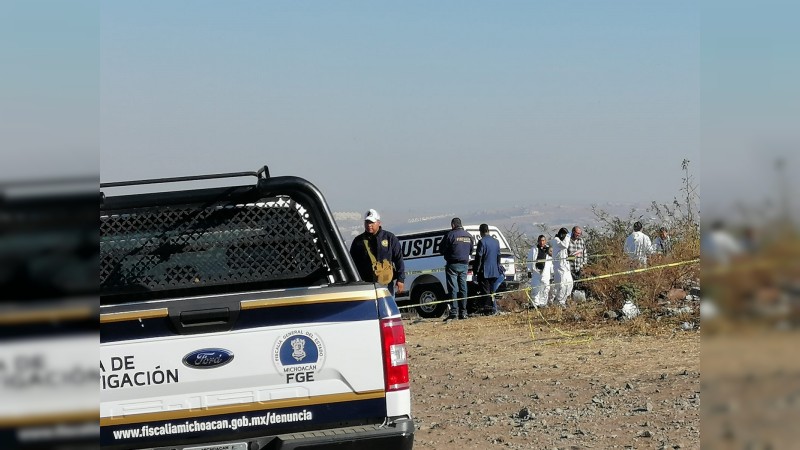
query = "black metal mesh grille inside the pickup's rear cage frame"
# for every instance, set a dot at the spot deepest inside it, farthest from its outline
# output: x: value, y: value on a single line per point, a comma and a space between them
x: 177, y: 247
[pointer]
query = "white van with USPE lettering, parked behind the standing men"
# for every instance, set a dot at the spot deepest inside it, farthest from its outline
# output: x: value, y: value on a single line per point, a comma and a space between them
x: 425, y: 277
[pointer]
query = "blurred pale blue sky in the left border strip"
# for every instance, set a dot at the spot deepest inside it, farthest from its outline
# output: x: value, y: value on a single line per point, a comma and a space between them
x: 49, y: 96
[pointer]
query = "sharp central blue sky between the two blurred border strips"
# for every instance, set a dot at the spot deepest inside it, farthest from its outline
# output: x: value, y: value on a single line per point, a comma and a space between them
x: 407, y: 105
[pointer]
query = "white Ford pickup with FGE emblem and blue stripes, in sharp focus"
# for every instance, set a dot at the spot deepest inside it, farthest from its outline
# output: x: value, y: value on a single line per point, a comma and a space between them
x: 234, y: 319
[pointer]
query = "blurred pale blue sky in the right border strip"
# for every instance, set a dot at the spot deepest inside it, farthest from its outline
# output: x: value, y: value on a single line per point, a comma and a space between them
x: 750, y: 107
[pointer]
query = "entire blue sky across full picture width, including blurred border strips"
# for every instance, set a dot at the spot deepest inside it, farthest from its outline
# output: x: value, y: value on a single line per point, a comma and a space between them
x: 428, y: 105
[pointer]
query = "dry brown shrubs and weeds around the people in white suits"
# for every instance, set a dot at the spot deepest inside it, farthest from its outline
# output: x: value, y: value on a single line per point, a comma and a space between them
x: 605, y: 247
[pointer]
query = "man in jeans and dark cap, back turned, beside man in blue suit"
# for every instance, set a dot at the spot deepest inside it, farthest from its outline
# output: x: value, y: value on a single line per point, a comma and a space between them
x: 456, y: 247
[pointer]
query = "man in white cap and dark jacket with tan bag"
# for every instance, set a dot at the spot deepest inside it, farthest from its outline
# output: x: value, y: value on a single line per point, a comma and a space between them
x: 384, y: 246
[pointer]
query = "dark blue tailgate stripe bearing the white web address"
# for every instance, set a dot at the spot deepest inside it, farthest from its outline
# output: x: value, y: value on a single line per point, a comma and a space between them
x: 248, y: 424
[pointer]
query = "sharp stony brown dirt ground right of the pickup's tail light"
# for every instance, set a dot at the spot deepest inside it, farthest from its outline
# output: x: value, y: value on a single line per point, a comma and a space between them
x: 516, y: 381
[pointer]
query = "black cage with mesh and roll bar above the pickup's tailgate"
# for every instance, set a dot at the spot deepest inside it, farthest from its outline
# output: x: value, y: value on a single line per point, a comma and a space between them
x: 278, y: 233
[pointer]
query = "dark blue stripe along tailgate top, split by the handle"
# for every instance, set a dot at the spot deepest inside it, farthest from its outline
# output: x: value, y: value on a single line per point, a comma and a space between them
x: 249, y: 318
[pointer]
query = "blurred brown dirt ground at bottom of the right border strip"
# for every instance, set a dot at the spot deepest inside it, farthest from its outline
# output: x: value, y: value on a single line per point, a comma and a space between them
x: 751, y: 382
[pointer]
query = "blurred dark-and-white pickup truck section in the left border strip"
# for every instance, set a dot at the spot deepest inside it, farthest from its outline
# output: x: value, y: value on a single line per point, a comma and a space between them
x: 48, y: 315
